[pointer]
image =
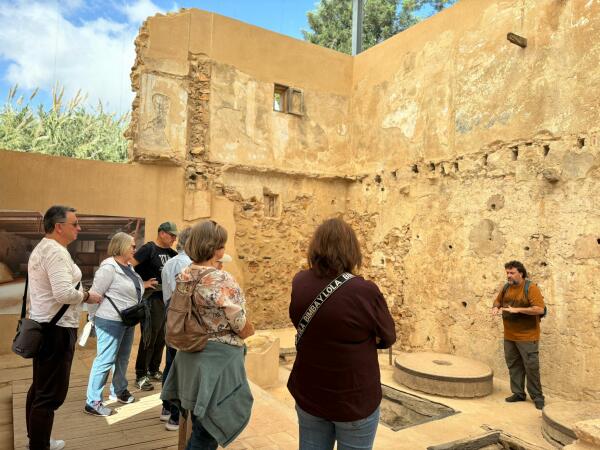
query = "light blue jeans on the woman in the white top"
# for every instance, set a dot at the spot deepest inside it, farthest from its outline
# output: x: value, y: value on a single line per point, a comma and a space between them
x: 113, y: 340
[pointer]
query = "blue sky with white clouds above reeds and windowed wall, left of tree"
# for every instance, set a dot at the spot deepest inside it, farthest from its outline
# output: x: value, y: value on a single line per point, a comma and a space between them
x: 88, y: 45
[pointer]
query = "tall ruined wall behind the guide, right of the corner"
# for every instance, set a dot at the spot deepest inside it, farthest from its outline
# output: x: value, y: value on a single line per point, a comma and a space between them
x: 485, y: 152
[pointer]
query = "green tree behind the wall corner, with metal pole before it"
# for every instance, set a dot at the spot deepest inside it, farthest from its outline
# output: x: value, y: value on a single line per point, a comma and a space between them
x: 331, y: 23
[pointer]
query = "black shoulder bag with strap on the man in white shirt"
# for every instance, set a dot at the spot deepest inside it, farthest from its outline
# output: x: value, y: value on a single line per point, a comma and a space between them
x: 28, y: 340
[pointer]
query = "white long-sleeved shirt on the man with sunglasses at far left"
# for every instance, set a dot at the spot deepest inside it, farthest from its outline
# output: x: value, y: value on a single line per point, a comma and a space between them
x: 52, y: 279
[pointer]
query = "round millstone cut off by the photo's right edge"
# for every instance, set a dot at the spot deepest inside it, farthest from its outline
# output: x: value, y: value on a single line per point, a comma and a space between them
x: 560, y: 417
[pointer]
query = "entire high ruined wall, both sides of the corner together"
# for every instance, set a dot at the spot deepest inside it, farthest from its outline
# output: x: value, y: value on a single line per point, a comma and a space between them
x: 449, y: 150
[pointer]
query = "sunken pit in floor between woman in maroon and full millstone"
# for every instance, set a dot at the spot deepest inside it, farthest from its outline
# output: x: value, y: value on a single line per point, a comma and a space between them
x: 401, y: 410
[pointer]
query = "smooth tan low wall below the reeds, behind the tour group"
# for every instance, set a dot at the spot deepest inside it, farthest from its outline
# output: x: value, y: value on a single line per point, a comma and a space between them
x: 34, y: 182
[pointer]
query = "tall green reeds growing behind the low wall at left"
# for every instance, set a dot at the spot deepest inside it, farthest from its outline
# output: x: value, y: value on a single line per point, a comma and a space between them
x: 66, y: 128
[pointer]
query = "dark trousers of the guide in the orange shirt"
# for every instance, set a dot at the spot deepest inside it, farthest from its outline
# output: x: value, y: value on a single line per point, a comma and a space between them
x: 522, y: 359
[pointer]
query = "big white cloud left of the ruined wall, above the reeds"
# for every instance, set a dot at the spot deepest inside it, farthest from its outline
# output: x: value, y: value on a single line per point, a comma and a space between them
x: 43, y: 47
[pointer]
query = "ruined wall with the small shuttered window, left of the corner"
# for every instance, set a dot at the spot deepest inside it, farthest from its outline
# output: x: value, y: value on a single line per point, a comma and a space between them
x: 204, y: 100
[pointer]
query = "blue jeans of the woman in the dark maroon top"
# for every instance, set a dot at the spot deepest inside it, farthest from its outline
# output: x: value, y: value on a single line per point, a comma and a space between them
x: 320, y: 434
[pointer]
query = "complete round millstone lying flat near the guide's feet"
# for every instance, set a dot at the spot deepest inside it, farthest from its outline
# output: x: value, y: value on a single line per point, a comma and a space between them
x: 443, y: 374
